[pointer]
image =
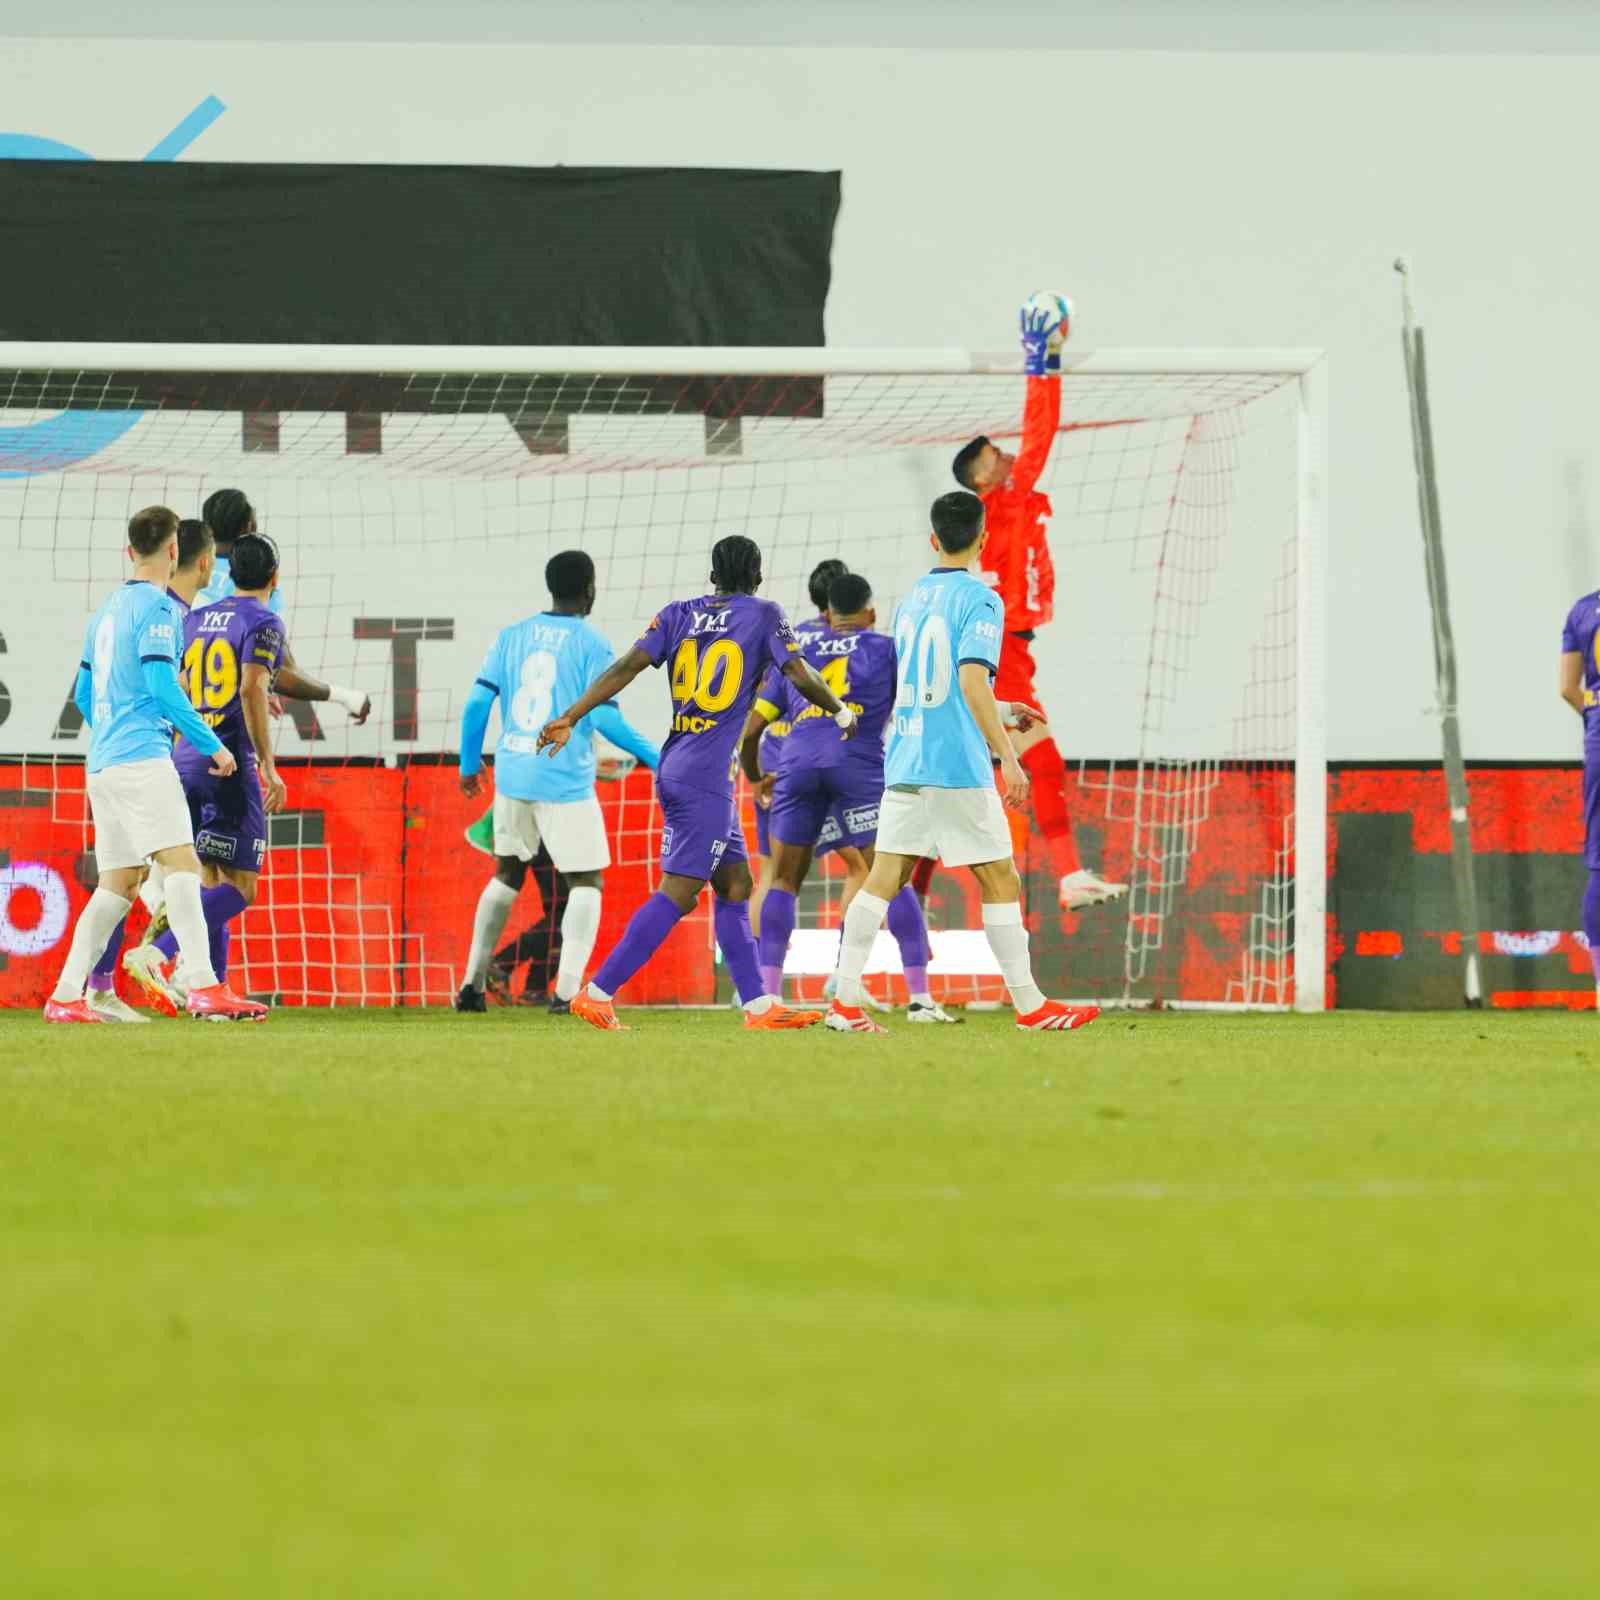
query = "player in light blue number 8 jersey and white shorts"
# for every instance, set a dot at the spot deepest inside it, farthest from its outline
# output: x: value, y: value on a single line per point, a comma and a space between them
x: 535, y: 668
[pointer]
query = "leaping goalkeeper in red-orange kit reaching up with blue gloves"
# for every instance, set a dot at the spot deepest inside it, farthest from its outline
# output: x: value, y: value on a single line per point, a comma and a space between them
x: 1017, y: 562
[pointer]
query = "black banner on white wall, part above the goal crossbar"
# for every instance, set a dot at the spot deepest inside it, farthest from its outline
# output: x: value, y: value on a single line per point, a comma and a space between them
x: 244, y: 254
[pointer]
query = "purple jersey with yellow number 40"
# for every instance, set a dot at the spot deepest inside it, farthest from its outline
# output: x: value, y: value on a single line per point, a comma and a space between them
x: 718, y: 650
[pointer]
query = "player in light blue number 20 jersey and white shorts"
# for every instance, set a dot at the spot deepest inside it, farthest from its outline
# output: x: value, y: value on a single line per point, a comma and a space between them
x: 940, y: 799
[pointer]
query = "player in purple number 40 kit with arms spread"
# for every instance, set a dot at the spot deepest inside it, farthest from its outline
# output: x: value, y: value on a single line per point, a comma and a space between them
x: 719, y: 649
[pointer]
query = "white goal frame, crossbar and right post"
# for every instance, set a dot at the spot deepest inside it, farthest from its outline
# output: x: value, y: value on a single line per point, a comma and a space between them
x: 1308, y: 367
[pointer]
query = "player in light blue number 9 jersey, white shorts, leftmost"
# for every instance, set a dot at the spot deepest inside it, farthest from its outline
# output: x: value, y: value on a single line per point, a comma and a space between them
x: 132, y: 700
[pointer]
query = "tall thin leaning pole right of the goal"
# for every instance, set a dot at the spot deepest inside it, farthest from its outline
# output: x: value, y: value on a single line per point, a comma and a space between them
x: 1444, y: 641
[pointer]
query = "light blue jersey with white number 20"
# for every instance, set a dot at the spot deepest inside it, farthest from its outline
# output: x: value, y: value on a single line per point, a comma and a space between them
x: 935, y: 743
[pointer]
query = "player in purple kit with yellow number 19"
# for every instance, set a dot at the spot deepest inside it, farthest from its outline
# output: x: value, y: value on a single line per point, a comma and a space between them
x: 233, y: 649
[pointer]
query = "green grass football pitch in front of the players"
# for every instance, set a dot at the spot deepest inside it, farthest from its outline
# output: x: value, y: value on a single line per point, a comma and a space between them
x: 418, y: 1305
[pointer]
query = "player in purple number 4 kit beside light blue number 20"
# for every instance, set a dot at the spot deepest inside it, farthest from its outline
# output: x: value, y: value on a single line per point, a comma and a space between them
x: 825, y: 778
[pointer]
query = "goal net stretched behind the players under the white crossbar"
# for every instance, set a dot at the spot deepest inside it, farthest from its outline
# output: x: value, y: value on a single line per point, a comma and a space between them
x: 417, y: 497
